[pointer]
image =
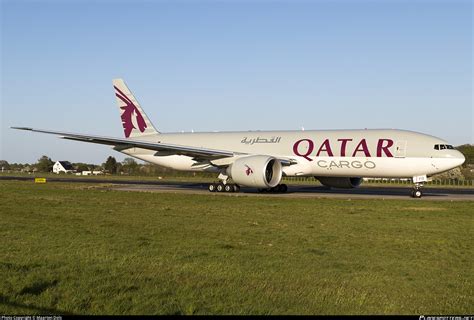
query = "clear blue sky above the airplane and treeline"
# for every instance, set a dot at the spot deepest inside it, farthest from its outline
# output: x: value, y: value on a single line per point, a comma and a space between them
x: 232, y: 65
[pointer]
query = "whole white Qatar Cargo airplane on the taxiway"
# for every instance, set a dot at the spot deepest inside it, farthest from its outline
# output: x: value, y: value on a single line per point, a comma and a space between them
x: 259, y: 159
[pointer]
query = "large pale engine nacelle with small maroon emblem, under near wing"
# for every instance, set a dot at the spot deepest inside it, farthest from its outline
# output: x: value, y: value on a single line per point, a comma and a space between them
x: 256, y: 171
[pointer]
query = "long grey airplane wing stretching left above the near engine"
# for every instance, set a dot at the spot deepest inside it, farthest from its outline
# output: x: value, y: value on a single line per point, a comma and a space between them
x: 122, y: 144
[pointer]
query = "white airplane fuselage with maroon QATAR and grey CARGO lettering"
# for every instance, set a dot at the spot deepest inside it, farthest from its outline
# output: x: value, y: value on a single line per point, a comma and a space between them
x: 337, y: 153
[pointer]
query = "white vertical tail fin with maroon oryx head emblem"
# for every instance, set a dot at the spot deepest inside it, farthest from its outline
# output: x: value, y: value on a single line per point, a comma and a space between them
x: 134, y: 120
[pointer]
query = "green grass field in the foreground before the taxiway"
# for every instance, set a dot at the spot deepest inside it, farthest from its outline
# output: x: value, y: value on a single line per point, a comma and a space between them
x: 81, y: 249
